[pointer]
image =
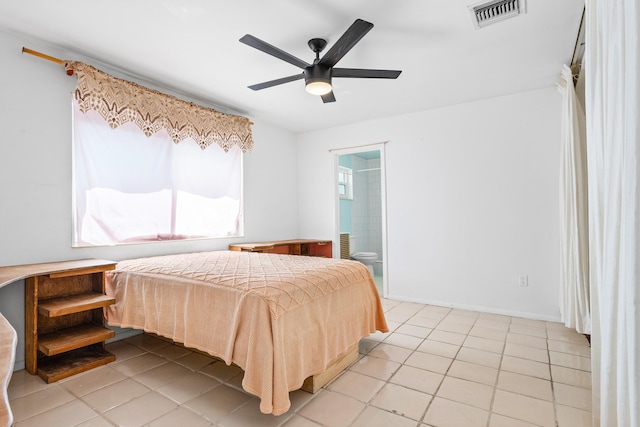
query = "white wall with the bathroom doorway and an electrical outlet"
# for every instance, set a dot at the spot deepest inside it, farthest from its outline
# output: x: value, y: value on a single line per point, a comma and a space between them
x: 472, y: 201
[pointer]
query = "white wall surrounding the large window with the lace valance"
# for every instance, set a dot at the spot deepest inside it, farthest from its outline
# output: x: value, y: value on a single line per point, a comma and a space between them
x: 35, y: 176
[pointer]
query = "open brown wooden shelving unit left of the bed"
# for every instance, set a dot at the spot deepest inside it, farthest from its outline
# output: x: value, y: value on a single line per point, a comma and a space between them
x: 64, y: 320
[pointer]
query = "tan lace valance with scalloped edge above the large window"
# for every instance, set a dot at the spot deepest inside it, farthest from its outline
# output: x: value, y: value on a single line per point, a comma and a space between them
x: 119, y: 101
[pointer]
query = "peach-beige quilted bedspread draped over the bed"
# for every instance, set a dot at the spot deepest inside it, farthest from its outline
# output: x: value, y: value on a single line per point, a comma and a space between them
x: 281, y: 318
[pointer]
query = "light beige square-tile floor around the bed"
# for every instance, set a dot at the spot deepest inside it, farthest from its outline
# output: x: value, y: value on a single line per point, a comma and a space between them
x: 438, y: 367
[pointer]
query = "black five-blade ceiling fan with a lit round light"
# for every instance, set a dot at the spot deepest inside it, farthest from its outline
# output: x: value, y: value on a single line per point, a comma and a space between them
x: 318, y: 75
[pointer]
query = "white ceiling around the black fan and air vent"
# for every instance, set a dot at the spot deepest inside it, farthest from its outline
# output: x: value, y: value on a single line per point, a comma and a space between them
x: 192, y: 46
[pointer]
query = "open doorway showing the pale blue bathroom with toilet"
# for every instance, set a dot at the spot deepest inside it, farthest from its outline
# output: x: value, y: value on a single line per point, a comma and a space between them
x: 361, y: 209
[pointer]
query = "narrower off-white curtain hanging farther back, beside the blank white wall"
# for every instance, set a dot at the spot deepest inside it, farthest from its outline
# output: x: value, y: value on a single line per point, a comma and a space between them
x: 574, y: 302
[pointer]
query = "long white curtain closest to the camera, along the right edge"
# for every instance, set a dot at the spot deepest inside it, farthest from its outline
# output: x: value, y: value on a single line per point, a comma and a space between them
x: 612, y: 65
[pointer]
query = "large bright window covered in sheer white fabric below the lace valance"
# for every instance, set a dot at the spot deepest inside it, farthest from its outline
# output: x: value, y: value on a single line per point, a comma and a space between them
x: 133, y: 188
